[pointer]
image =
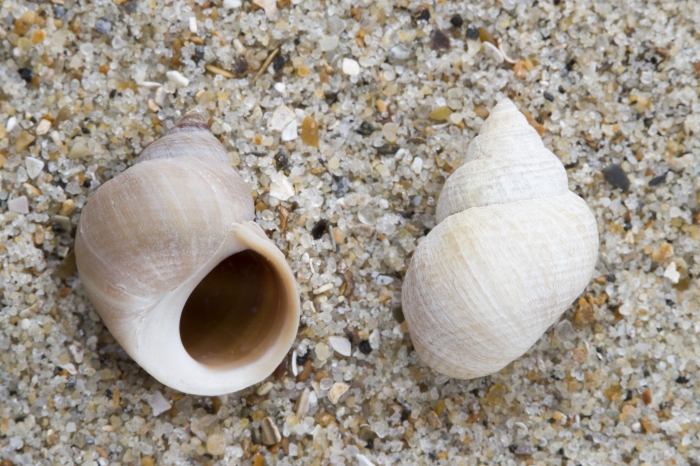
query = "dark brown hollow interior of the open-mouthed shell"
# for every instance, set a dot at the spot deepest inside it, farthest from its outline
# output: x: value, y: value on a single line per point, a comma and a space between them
x: 235, y: 313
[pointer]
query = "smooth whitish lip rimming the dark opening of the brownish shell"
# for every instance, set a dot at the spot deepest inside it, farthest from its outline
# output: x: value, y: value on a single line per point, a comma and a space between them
x: 160, y: 351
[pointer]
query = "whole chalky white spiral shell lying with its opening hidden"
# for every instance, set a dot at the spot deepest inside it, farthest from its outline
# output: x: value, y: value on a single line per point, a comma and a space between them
x: 512, y: 249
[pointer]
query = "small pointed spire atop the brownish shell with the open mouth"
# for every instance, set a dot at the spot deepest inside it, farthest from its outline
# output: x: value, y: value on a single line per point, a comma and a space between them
x: 191, y: 137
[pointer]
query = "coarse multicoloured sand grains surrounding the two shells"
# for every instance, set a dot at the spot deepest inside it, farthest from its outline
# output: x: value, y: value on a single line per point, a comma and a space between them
x: 397, y: 93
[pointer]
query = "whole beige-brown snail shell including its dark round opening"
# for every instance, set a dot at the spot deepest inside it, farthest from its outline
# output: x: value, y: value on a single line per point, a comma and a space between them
x: 192, y: 289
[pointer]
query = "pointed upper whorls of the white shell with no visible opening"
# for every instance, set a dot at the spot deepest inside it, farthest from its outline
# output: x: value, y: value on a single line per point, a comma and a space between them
x: 506, y: 162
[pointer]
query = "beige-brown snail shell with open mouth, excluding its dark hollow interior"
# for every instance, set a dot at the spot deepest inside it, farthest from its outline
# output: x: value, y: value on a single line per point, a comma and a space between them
x: 149, y: 236
